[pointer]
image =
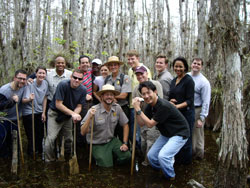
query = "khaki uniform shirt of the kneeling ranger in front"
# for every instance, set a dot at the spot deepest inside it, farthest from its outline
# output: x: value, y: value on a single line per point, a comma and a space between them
x: 105, y: 123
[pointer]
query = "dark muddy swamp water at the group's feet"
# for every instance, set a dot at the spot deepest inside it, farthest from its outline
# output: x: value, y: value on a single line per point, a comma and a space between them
x: 41, y: 175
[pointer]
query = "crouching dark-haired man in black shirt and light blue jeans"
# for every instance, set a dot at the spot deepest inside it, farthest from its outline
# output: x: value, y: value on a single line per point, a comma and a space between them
x: 171, y: 124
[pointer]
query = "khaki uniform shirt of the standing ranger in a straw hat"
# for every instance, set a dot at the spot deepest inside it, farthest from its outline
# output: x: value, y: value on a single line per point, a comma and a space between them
x: 124, y: 88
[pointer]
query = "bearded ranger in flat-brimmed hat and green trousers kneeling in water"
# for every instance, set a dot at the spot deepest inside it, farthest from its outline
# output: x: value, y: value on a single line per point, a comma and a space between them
x: 107, y: 115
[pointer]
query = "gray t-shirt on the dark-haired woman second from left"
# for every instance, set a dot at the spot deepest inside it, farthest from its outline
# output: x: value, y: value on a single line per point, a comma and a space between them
x: 40, y: 92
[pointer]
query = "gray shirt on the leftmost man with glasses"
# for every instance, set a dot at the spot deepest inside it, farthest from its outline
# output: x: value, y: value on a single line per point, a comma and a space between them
x: 8, y: 92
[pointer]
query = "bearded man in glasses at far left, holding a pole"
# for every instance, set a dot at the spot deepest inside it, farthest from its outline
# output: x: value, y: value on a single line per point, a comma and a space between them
x: 10, y: 94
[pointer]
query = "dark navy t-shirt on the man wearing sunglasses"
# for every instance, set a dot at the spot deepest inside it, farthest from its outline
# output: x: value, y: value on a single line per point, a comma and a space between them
x: 71, y: 97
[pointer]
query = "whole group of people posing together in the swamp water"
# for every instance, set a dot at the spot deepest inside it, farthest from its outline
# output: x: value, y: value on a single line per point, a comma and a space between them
x: 170, y: 111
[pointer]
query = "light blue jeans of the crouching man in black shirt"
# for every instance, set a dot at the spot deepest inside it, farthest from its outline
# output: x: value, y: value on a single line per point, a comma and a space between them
x: 161, y: 155
